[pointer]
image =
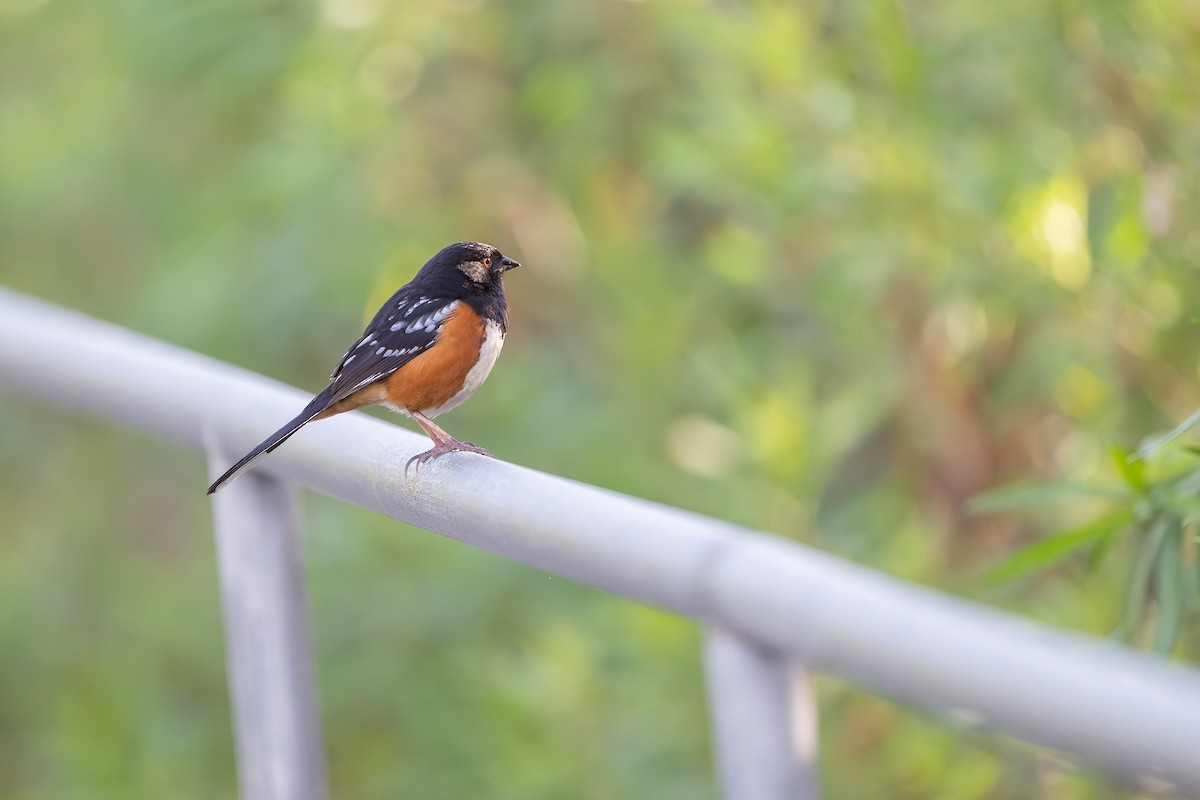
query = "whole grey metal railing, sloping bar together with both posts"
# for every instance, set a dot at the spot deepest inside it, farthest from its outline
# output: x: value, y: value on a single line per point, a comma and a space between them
x: 771, y: 606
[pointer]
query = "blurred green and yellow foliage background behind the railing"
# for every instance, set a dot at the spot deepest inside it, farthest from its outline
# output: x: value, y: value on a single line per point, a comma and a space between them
x: 824, y: 269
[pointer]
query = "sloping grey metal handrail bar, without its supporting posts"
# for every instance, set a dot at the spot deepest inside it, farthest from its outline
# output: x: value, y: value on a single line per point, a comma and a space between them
x: 1129, y: 713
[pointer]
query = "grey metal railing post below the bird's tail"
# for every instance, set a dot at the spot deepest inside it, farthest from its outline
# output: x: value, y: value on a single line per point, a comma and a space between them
x: 268, y: 640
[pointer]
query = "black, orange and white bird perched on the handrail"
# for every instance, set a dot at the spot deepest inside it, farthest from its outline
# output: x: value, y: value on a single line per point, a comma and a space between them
x: 427, y: 351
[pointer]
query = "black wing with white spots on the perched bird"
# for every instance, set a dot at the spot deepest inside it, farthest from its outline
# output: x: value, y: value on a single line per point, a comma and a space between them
x: 405, y: 328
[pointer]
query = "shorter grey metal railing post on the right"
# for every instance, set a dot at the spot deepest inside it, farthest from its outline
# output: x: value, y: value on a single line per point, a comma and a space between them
x: 764, y: 721
